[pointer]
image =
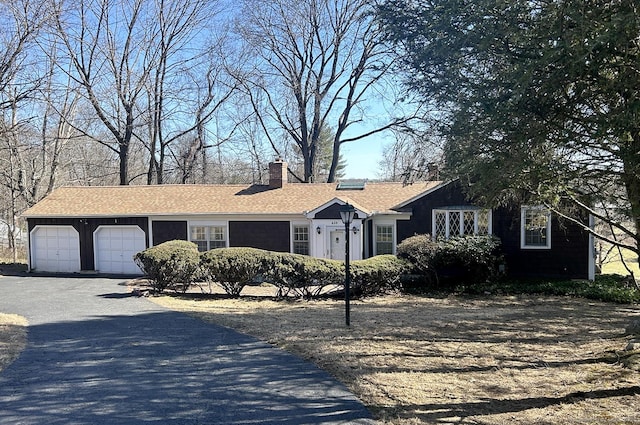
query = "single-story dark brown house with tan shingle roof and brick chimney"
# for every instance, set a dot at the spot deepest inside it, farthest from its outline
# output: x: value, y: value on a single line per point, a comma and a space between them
x: 99, y: 229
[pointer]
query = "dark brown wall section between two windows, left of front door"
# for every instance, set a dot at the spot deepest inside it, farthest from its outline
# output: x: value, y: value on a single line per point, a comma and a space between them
x: 269, y: 235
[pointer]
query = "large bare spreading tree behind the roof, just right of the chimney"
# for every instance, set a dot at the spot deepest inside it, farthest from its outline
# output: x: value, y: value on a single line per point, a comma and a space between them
x: 313, y: 63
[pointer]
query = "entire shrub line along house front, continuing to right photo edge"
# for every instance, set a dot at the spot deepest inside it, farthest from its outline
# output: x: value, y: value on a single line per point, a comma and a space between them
x: 176, y: 265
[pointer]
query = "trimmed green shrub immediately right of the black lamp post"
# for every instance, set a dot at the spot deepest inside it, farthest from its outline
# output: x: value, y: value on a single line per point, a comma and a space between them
x: 377, y: 275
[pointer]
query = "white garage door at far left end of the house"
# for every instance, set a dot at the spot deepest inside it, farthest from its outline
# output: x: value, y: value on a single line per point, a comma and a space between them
x: 55, y: 249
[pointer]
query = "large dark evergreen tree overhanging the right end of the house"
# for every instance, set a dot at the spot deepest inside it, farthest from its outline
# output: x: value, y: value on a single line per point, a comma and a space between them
x: 540, y: 99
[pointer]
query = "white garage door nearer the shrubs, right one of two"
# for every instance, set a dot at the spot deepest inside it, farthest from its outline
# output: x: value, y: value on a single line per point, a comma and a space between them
x: 115, y: 246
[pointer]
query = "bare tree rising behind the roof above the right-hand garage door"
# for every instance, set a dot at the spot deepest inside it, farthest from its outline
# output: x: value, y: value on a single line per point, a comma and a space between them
x: 108, y: 46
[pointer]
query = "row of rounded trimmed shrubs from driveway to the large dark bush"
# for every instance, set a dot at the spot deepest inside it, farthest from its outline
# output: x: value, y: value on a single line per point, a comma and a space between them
x: 176, y: 265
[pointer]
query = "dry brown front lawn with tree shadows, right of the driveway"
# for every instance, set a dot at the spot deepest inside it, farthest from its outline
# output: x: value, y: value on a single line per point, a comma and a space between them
x: 486, y: 360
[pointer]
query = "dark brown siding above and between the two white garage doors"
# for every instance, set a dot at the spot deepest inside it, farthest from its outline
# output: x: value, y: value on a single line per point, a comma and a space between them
x: 85, y: 228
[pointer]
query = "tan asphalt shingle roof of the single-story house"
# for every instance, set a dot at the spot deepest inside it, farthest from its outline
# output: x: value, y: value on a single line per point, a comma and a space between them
x: 94, y: 201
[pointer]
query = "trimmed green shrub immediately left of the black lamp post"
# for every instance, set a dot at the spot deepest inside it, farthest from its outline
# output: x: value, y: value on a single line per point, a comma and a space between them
x: 301, y: 275
